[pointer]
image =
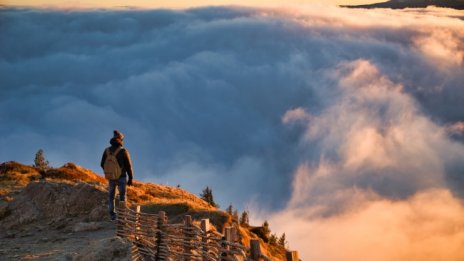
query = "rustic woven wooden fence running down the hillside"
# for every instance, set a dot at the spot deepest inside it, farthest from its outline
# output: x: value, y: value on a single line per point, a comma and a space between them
x: 153, y: 238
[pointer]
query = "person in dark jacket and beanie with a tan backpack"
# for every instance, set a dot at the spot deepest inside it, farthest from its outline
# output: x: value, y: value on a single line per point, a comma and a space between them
x: 117, y: 165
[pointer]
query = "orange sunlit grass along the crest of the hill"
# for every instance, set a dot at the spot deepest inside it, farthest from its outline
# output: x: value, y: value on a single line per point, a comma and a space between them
x: 152, y: 197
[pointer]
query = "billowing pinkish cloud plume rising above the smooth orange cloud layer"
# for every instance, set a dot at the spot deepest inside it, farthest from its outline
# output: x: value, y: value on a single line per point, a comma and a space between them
x: 375, y: 138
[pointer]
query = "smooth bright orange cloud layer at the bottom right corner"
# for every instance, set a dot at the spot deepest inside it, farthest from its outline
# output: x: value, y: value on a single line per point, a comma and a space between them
x: 426, y: 226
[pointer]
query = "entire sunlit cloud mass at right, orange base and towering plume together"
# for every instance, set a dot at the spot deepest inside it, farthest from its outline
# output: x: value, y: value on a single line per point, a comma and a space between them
x: 382, y: 192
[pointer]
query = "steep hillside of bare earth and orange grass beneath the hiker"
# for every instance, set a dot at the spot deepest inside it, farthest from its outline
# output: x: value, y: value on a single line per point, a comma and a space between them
x: 65, y: 209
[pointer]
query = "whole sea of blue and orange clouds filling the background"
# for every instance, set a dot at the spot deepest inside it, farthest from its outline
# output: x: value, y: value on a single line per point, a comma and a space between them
x: 343, y: 128
